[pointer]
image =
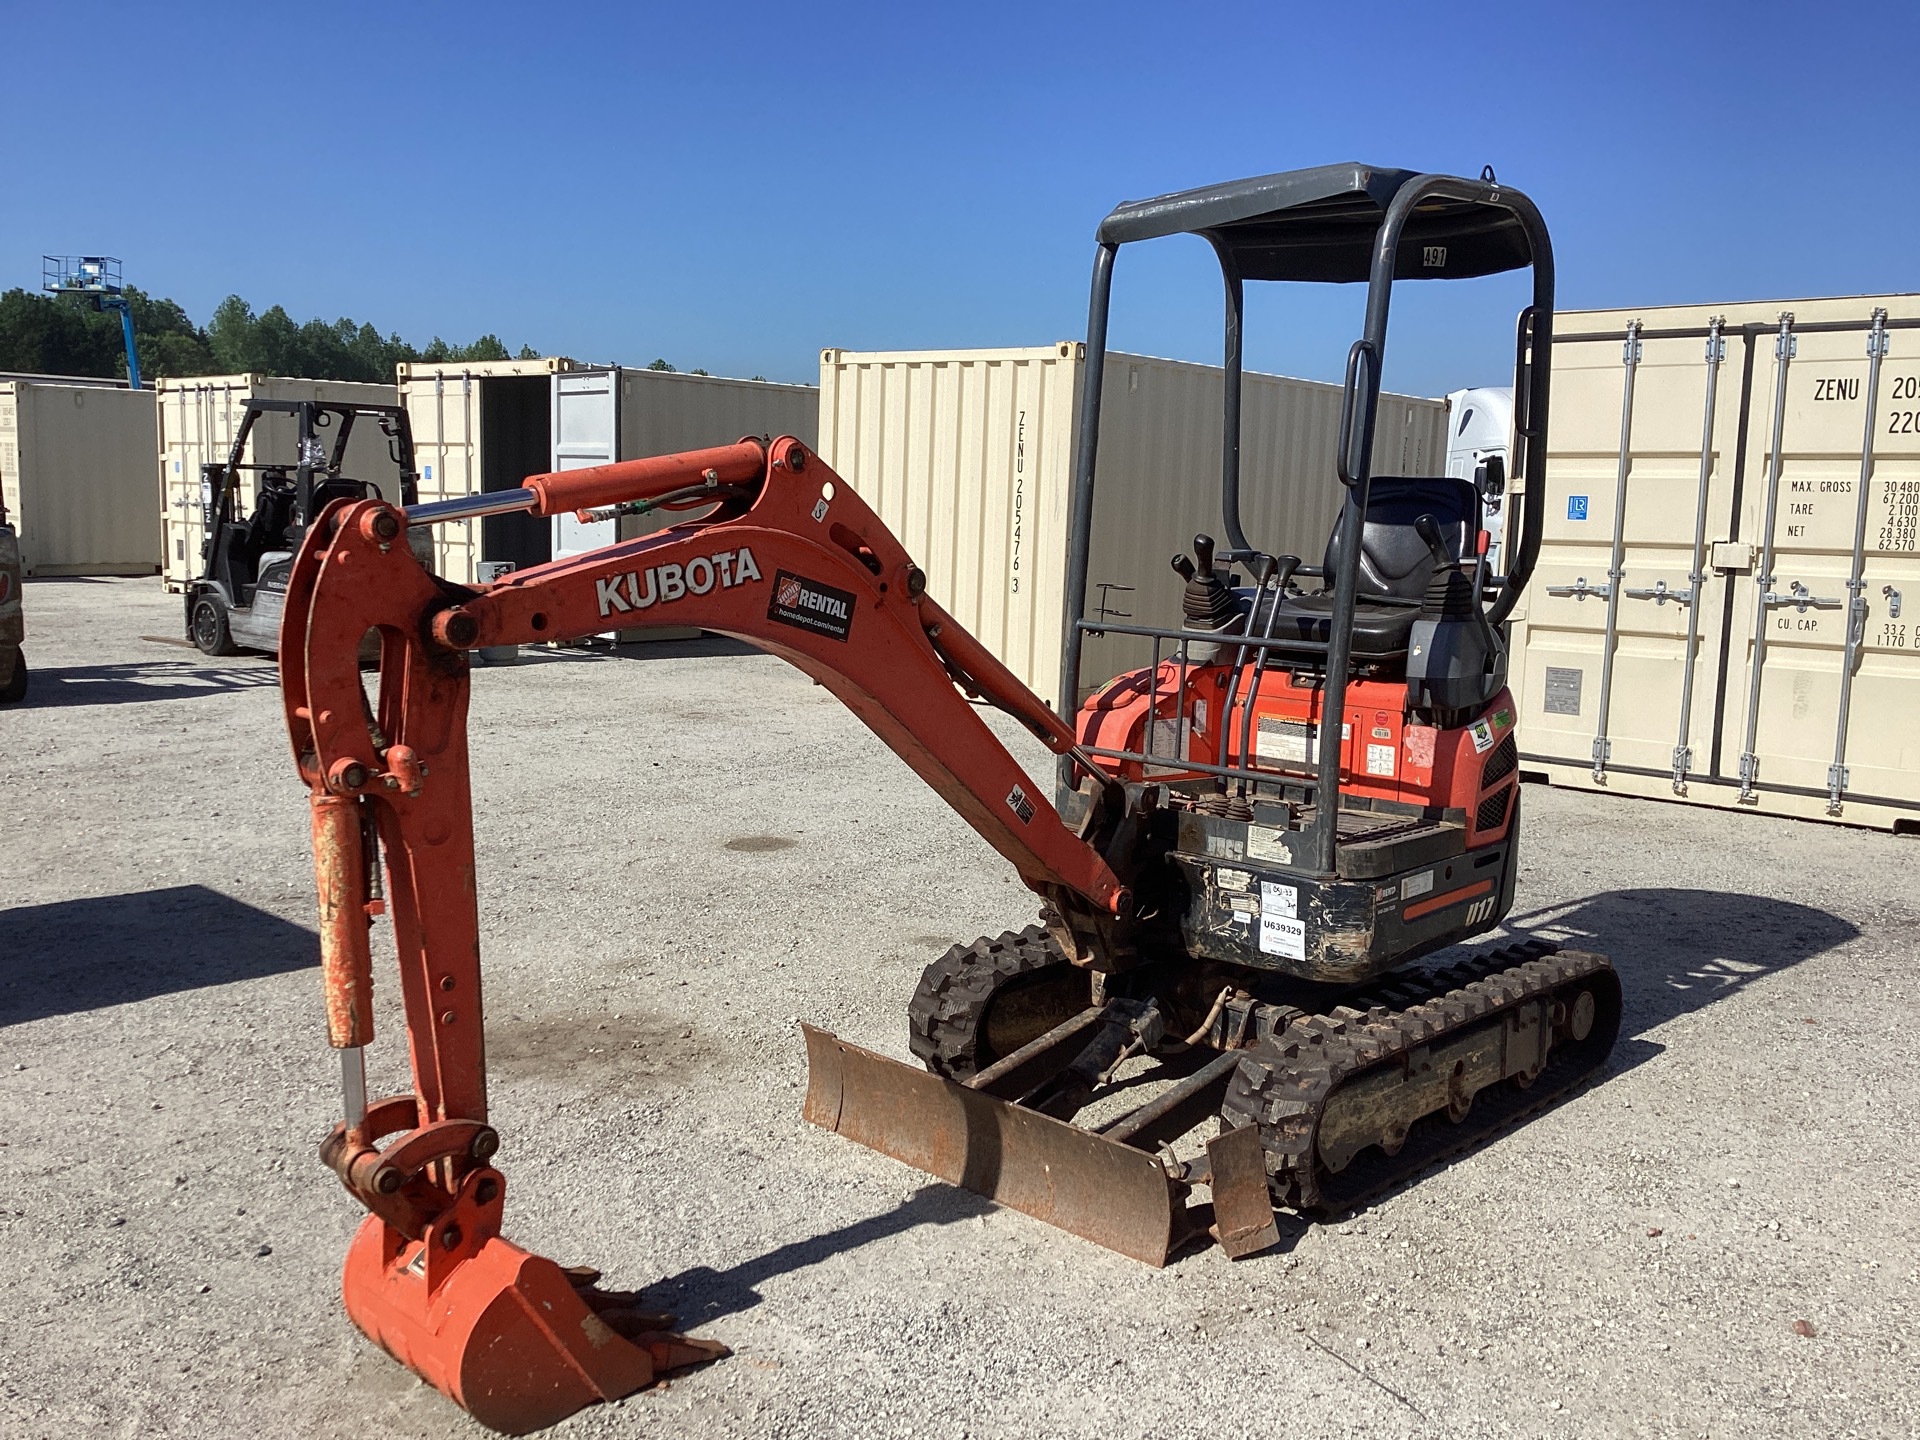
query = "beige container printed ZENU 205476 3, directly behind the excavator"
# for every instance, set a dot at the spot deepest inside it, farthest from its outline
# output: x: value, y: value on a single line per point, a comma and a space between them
x: 969, y: 458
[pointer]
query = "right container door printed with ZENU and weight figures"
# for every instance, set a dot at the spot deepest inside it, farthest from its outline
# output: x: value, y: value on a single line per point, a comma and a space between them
x: 1827, y: 681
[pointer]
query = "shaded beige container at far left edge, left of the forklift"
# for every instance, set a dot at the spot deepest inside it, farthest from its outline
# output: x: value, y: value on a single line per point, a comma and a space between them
x: 76, y: 471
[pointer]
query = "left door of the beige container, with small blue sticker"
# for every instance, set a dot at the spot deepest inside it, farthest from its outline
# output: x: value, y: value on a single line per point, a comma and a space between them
x: 1625, y: 613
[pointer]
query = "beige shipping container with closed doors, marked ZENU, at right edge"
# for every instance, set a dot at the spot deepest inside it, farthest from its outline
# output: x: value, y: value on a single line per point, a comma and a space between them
x: 1723, y: 606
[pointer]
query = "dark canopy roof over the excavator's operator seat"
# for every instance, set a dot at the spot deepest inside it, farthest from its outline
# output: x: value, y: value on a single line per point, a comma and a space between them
x: 1322, y: 226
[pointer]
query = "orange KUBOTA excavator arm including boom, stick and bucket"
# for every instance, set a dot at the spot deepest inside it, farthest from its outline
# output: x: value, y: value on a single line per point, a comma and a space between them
x: 784, y: 558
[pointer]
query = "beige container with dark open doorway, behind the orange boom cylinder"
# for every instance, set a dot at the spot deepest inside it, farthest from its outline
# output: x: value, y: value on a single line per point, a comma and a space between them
x: 483, y: 427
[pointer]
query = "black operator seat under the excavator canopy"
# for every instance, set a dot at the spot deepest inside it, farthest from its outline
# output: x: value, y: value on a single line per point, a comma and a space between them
x: 1397, y: 564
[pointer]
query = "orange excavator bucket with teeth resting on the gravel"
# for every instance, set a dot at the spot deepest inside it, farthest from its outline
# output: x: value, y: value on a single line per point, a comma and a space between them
x: 510, y: 1337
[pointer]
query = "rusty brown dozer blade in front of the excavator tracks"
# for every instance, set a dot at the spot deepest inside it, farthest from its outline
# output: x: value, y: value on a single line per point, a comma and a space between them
x: 1099, y: 1189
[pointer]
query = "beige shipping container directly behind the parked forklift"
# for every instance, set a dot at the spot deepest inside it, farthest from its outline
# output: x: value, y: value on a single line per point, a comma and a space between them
x: 199, y: 420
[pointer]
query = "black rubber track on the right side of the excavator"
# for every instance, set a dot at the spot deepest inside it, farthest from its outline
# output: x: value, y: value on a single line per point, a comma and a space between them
x: 1284, y: 1084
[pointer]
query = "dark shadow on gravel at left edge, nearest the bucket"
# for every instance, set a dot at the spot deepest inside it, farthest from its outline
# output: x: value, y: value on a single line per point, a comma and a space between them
x: 116, y: 949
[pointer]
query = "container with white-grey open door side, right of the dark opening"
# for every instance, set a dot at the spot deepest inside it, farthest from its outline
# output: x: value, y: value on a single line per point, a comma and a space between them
x: 627, y: 416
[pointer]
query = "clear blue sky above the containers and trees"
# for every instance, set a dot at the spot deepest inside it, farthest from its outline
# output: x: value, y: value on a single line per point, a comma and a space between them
x: 742, y: 185
